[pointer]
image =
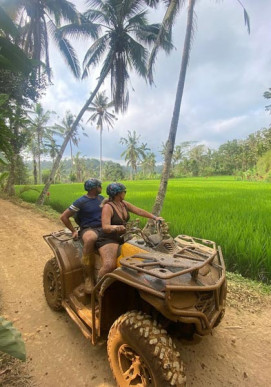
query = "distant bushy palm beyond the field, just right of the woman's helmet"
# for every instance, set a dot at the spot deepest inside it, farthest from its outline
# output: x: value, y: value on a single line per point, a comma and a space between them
x: 133, y: 153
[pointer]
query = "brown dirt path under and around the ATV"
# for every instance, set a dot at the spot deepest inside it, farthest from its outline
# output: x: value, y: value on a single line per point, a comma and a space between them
x: 237, y: 354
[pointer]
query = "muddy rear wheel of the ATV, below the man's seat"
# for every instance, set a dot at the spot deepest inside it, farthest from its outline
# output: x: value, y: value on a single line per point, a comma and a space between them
x: 52, y: 284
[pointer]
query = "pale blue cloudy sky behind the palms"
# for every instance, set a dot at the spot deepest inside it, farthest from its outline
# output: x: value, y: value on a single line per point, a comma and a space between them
x: 223, y: 97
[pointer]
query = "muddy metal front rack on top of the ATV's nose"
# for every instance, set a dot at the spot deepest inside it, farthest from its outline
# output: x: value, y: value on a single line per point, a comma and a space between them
x: 166, y: 266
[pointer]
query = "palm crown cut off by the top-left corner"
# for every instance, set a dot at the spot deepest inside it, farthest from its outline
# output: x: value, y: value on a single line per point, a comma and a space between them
x: 38, y: 19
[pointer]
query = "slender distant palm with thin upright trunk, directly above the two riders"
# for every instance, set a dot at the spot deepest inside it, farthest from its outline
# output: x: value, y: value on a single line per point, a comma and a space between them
x: 101, y: 116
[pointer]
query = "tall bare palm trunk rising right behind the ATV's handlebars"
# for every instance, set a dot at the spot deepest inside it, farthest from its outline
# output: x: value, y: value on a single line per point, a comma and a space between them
x: 176, y: 113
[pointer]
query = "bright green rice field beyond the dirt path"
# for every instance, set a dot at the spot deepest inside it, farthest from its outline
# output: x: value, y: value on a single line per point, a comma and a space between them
x: 234, y: 214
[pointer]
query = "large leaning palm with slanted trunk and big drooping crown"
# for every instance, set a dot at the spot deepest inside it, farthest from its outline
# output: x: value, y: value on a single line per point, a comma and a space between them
x: 126, y: 32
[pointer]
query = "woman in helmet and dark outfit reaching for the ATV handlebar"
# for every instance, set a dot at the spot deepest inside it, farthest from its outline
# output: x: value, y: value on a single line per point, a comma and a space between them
x: 115, y: 215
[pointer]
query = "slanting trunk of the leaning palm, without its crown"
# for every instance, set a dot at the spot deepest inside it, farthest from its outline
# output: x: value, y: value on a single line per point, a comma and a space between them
x: 41, y: 198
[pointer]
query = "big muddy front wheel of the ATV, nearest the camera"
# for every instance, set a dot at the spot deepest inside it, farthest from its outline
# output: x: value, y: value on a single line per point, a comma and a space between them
x: 142, y: 354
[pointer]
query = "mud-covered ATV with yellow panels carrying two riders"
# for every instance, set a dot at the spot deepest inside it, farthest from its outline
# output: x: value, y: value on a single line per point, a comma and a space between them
x: 161, y: 285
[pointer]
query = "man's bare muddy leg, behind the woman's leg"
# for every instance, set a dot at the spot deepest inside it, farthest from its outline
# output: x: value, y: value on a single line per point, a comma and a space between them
x: 88, y: 260
